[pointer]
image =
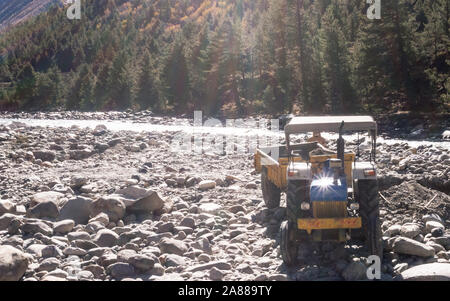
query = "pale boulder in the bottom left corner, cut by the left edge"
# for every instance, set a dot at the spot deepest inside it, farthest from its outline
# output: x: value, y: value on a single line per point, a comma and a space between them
x: 13, y: 263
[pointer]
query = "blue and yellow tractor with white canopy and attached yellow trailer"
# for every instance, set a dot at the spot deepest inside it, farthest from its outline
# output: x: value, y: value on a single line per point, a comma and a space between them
x: 330, y: 195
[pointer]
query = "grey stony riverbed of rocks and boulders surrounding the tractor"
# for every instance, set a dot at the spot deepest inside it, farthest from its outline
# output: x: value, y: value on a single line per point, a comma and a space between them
x: 91, y: 203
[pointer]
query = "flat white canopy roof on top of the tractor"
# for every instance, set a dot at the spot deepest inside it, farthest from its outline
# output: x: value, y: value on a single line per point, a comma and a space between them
x: 330, y: 124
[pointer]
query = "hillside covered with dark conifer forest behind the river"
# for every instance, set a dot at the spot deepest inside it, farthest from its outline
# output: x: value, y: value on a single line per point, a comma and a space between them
x: 230, y: 58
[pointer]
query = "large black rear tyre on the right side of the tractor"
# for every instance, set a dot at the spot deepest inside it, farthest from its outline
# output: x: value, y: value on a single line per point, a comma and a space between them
x: 370, y: 215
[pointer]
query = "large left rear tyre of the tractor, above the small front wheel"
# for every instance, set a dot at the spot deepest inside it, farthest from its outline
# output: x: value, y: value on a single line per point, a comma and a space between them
x: 296, y: 194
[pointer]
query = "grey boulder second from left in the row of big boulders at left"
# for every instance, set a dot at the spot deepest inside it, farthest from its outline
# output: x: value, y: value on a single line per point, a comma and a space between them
x: 77, y: 209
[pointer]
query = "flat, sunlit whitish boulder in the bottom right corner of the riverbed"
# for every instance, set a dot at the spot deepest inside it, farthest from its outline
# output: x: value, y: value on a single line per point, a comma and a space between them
x: 427, y: 272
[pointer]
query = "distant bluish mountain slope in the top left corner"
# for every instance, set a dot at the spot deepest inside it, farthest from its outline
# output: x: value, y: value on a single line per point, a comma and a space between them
x: 14, y: 12
